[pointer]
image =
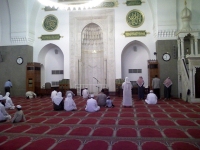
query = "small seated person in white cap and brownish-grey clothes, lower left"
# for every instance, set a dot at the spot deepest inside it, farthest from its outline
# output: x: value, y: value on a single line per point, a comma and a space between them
x: 19, y: 115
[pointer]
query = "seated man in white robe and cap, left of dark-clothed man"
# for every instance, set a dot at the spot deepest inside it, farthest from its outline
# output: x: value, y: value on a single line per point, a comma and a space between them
x: 91, y: 105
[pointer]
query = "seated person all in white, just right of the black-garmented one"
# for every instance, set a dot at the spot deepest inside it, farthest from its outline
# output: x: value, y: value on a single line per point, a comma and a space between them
x: 69, y: 103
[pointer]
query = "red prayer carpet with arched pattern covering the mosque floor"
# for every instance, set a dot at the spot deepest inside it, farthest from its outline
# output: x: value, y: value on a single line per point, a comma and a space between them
x: 168, y: 125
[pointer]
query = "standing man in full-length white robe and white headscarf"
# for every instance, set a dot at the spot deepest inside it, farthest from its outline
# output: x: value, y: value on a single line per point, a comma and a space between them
x: 127, y: 93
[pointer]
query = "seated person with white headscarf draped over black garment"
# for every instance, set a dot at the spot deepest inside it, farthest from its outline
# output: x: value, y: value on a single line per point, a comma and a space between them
x: 58, y: 103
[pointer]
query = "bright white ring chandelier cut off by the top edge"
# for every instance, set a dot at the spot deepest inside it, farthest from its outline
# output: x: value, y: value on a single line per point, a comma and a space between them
x: 71, y: 4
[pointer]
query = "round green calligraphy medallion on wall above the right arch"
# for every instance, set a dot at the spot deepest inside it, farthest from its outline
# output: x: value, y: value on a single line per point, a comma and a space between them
x: 135, y: 18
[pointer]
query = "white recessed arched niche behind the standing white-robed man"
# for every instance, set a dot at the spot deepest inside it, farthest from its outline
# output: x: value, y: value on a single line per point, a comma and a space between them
x: 134, y: 61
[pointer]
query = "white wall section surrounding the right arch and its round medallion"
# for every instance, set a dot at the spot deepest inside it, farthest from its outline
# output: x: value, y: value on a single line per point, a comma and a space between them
x: 121, y: 26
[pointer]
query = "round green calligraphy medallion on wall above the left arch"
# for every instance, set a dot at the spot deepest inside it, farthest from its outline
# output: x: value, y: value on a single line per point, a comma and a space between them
x: 50, y: 23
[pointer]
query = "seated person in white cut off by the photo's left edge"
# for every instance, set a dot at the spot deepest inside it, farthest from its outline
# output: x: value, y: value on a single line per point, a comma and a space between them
x: 3, y: 114
